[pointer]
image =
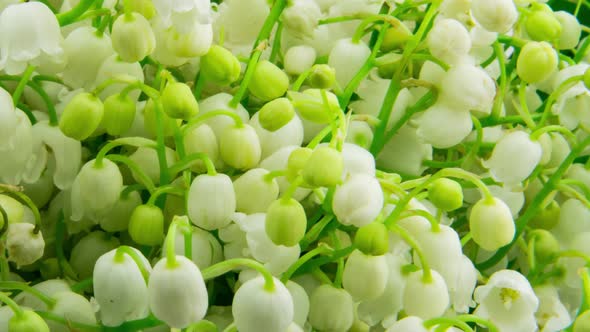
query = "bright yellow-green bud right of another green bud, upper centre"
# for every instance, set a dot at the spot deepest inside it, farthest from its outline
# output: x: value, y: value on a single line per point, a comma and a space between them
x: 268, y: 82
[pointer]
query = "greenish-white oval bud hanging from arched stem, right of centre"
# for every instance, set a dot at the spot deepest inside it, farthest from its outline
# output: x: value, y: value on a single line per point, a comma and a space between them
x: 491, y: 224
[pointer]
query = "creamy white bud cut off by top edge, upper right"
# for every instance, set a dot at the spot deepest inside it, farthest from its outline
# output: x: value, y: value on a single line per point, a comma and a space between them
x: 497, y: 16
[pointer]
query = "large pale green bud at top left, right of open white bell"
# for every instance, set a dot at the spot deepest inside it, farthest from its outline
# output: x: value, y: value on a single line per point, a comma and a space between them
x: 132, y: 37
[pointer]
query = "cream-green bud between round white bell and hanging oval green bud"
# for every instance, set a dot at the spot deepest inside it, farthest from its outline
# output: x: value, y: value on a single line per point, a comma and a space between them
x: 255, y: 193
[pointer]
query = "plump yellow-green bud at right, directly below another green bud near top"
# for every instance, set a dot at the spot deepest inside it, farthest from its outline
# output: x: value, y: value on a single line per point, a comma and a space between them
x: 536, y: 62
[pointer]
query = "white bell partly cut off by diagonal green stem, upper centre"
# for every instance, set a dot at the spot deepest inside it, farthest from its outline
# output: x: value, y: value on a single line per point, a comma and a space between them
x: 347, y: 58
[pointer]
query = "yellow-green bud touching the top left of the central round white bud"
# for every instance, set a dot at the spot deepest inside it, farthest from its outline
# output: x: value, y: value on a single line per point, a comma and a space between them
x: 324, y: 167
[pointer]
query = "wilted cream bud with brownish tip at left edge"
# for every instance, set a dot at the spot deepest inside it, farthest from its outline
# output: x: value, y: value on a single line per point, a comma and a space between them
x: 23, y: 245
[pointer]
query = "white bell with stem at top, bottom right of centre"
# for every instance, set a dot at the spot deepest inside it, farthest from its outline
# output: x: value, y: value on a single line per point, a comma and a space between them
x: 425, y: 298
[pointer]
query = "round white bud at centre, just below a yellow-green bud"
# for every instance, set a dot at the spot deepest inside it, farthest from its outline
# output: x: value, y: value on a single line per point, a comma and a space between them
x: 358, y: 201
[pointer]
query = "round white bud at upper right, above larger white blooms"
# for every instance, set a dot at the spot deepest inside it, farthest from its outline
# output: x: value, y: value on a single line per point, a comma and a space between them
x: 449, y: 41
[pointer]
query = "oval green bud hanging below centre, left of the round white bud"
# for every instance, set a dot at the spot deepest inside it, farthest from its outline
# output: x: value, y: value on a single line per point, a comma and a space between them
x: 285, y: 222
